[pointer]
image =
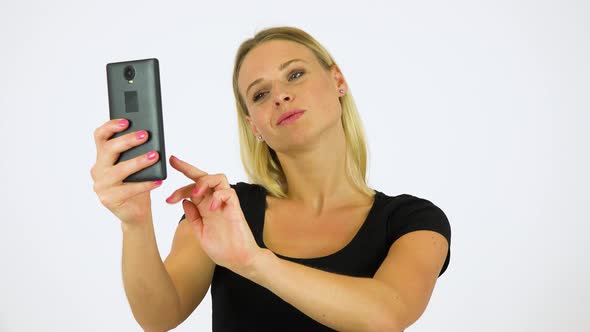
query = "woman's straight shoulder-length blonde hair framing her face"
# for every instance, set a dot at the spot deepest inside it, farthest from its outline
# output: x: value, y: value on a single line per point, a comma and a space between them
x: 260, y: 161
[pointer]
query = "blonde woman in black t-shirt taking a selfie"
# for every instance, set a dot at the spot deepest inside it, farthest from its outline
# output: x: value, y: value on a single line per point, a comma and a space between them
x: 307, y: 247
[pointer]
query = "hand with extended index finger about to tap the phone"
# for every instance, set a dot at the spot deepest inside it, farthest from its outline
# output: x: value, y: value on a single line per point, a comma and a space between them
x: 213, y: 208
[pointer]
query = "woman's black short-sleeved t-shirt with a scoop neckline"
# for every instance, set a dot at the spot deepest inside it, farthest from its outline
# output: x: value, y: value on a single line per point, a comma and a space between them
x: 242, y: 305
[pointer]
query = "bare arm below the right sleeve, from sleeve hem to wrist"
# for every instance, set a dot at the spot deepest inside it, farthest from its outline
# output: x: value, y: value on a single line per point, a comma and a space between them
x: 390, y: 301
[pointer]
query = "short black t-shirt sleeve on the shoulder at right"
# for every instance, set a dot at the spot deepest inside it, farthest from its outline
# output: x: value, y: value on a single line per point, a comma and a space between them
x: 415, y: 214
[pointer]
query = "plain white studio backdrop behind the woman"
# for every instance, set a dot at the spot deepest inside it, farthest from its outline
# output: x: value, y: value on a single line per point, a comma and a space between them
x: 481, y: 107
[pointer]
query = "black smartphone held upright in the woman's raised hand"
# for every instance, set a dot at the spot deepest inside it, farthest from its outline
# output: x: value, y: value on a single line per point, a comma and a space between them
x: 134, y: 94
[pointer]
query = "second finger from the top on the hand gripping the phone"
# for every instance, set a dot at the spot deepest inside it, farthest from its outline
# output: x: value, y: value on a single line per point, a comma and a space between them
x: 109, y: 151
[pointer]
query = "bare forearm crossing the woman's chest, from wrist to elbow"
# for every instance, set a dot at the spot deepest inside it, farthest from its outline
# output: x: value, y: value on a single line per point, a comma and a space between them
x: 341, y: 302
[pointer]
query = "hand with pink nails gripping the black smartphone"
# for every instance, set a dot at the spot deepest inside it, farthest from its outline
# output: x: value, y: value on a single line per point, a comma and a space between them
x: 130, y: 202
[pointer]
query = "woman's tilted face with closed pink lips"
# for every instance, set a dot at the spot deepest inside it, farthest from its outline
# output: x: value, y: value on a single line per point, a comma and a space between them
x: 278, y: 78
